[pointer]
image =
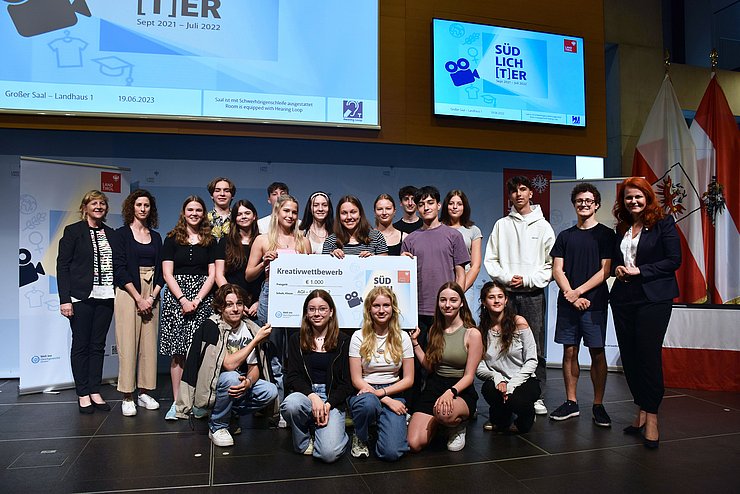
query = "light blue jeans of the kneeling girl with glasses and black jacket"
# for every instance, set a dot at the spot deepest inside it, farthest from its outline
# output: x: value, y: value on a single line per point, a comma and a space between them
x: 330, y: 441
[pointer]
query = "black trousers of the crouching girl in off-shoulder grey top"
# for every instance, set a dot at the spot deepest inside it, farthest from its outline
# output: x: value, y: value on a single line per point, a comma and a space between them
x: 520, y: 402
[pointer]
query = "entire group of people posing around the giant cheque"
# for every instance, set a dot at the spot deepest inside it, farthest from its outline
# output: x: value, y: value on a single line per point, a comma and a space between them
x: 226, y: 360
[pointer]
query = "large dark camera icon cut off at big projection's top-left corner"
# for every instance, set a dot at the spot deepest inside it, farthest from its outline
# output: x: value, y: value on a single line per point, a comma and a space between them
x: 34, y: 17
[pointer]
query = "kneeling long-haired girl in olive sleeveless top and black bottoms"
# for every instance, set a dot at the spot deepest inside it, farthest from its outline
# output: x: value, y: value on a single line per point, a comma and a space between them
x: 453, y: 352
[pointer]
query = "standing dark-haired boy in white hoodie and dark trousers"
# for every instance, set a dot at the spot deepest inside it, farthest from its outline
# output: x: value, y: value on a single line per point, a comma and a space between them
x: 518, y: 255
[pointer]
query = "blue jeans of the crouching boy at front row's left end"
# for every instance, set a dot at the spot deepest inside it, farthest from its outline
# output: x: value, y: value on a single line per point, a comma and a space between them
x: 257, y: 397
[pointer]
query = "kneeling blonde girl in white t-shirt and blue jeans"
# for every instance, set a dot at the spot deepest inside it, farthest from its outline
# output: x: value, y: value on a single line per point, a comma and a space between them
x: 377, y: 354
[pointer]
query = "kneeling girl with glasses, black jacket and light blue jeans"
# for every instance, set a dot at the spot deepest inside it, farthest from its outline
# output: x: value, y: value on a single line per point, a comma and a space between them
x: 317, y: 378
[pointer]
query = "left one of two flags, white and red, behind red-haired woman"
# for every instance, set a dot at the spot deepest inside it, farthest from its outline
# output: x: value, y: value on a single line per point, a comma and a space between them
x: 666, y: 156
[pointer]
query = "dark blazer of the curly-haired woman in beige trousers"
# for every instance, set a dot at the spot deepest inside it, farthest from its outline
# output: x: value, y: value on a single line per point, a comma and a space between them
x: 126, y: 260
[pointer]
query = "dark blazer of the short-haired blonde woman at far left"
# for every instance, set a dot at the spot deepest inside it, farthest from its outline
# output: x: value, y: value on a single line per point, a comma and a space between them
x: 75, y: 261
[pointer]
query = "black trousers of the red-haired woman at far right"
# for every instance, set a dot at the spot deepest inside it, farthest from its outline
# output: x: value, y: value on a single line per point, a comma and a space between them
x: 640, y: 331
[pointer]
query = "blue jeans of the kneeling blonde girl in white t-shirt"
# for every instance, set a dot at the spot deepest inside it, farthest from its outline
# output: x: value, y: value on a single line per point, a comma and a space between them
x: 366, y: 409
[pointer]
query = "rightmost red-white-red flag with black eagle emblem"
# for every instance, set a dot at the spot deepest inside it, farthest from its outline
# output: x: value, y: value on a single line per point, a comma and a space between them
x: 717, y: 140
